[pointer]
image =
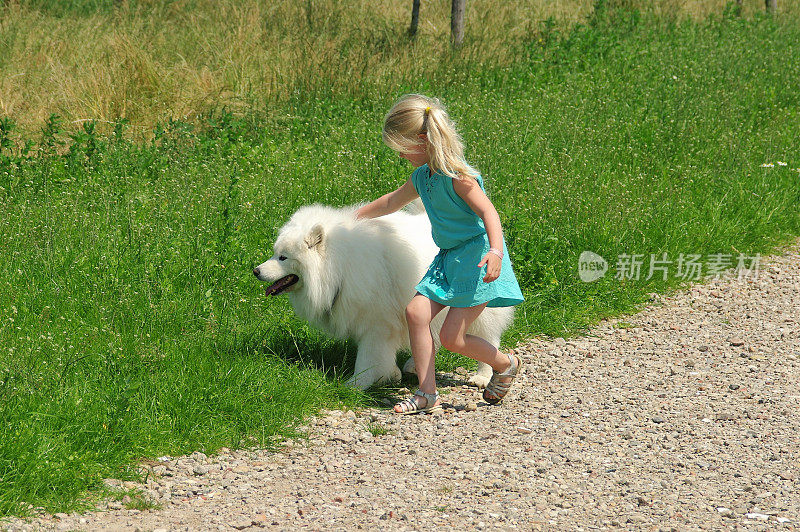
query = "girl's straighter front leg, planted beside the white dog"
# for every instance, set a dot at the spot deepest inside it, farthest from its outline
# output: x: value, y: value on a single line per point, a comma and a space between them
x: 419, y: 314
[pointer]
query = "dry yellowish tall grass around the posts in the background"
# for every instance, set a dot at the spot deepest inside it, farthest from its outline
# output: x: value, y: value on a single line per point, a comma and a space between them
x: 151, y: 60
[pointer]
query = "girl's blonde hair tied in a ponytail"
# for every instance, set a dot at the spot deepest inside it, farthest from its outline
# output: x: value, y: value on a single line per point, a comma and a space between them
x: 414, y: 114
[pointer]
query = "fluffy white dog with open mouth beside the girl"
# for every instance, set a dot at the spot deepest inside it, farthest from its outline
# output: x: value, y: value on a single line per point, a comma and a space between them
x: 353, y: 279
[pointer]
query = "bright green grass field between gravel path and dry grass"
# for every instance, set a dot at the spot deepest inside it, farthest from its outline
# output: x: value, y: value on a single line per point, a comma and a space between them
x: 130, y: 323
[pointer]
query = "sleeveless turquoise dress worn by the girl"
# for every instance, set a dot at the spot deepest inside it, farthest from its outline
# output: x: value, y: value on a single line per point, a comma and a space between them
x: 453, y: 278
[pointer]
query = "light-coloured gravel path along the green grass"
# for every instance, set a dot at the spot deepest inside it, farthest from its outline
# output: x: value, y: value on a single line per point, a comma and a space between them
x: 682, y: 417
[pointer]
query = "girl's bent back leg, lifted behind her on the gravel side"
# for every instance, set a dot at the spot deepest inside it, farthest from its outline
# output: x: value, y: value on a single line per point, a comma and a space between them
x: 455, y: 338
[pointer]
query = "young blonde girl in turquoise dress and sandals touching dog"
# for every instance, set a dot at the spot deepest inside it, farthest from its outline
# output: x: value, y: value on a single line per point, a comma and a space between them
x: 466, y: 227
